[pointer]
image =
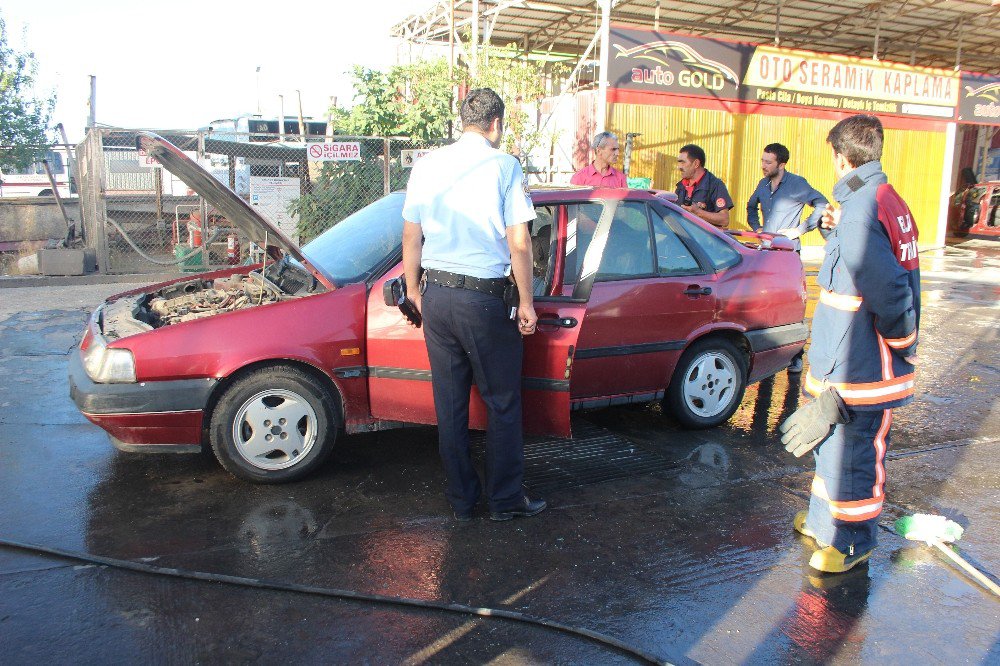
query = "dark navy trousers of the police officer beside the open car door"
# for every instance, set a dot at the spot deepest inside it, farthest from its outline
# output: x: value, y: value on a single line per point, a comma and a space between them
x: 469, y: 338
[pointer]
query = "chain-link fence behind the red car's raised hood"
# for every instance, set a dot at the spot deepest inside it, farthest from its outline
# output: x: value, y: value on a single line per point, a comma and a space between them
x: 141, y: 218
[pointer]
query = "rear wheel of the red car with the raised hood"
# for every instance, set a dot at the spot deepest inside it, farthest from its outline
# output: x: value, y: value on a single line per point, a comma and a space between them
x: 708, y: 384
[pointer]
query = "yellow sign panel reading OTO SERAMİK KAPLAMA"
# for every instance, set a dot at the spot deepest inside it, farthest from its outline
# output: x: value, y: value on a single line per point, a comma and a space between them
x: 840, y: 82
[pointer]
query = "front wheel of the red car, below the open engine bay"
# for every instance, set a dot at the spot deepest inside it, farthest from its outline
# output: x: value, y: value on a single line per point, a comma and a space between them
x: 273, y: 425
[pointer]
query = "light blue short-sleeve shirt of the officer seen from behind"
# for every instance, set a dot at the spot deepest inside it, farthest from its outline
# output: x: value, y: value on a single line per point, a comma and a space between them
x: 464, y: 196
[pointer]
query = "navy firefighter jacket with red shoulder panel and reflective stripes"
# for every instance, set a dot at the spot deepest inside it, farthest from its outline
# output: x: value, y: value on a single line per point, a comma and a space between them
x: 865, y: 323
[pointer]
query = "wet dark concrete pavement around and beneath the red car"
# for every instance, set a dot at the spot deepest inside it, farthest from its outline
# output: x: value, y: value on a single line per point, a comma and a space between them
x: 676, y: 542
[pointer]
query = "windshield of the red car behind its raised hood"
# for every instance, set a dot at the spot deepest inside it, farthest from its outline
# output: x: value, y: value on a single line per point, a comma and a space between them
x: 353, y: 249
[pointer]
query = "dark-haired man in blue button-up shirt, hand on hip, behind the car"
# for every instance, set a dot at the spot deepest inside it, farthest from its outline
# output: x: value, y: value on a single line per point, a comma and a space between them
x: 781, y: 196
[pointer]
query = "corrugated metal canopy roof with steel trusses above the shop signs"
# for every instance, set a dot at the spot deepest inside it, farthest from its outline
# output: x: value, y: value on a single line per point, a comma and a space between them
x: 940, y: 33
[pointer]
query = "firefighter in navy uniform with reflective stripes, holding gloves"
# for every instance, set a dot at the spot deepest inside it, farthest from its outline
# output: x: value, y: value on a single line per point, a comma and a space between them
x: 863, y: 351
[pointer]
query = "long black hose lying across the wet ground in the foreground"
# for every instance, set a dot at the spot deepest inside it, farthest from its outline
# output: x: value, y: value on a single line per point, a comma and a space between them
x: 240, y: 581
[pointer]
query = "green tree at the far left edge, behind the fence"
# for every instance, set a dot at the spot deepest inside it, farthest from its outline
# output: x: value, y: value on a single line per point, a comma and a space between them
x: 23, y: 118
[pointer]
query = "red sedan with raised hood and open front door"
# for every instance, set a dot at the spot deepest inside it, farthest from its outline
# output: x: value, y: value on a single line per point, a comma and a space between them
x: 637, y: 301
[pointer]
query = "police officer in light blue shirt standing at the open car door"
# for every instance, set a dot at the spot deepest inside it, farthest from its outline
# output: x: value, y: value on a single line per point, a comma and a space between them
x: 466, y: 224
